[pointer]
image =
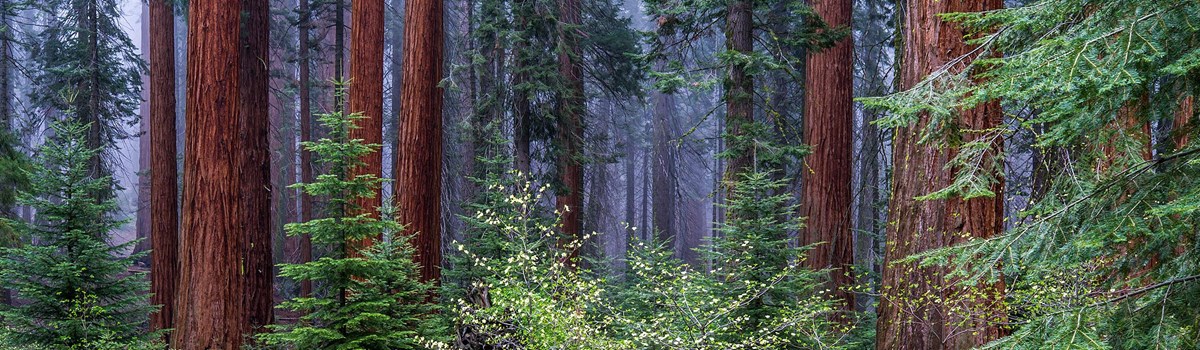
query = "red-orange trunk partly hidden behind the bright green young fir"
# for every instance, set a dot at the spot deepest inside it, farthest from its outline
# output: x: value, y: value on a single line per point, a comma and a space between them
x: 367, y: 95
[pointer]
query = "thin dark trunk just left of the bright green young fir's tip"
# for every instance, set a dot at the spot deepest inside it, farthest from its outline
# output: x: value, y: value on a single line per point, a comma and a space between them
x: 307, y: 166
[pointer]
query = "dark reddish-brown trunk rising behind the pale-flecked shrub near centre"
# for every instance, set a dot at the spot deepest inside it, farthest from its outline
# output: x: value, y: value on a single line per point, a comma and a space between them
x: 571, y: 122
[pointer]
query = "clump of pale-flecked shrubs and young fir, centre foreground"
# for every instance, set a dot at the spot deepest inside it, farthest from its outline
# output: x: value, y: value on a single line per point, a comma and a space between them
x: 527, y: 293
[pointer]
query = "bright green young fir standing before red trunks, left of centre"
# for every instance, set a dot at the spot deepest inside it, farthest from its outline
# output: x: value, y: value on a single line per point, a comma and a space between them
x: 365, y: 298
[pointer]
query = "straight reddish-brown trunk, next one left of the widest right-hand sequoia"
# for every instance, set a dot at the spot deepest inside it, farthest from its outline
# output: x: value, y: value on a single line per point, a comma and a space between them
x: 829, y: 120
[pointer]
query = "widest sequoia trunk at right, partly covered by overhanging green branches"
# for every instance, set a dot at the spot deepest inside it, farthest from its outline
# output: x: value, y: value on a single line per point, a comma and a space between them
x: 920, y: 307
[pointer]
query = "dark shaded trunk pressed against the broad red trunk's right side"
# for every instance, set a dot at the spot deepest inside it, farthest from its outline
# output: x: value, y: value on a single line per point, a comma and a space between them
x: 256, y: 165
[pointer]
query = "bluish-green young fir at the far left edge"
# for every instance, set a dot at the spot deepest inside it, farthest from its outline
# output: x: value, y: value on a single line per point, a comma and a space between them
x: 75, y: 282
